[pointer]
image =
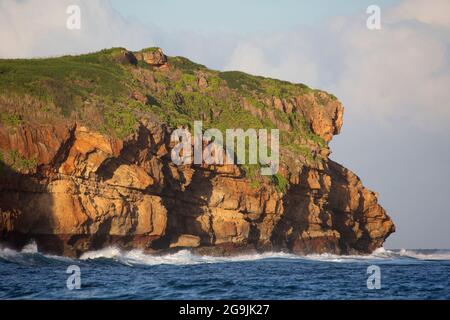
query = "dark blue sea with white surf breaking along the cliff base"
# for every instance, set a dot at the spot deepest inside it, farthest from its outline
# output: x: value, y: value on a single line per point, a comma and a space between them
x: 111, y: 274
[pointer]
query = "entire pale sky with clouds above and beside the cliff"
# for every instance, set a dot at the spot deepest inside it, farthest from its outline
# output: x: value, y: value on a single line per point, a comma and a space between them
x: 394, y: 82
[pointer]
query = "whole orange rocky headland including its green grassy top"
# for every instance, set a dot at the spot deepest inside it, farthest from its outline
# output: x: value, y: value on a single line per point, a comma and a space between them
x: 85, y: 161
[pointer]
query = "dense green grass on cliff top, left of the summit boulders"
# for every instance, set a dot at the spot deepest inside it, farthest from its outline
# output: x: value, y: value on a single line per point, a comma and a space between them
x: 66, y: 81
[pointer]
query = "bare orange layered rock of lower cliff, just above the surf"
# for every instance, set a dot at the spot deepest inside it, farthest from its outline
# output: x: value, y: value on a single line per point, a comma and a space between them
x: 91, y: 191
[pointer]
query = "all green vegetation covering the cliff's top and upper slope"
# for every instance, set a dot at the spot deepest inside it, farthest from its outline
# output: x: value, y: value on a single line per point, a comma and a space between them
x: 108, y: 91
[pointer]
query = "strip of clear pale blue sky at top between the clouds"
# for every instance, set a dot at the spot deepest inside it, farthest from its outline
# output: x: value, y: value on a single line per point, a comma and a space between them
x: 237, y: 16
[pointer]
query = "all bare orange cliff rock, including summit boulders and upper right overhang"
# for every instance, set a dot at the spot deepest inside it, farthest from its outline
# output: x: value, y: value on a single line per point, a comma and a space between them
x: 73, y: 187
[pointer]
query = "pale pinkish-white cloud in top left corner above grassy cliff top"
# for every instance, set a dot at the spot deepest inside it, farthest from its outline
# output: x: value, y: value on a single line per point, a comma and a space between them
x: 30, y: 28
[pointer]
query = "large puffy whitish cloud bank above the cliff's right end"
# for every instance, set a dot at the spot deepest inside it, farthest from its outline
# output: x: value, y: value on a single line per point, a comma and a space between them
x: 400, y: 73
